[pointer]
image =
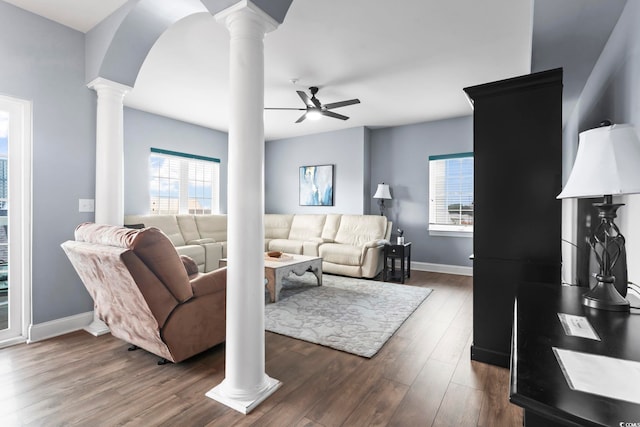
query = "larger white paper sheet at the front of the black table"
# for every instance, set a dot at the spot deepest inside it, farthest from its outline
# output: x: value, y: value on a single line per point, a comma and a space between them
x: 601, y: 375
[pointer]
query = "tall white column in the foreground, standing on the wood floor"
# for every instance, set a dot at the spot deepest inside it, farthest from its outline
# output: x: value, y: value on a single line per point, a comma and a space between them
x: 246, y: 384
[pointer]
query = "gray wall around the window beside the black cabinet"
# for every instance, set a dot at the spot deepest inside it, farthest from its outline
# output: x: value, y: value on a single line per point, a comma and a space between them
x: 400, y: 158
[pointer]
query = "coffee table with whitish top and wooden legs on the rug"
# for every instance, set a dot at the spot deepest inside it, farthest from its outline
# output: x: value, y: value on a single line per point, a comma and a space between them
x: 277, y: 269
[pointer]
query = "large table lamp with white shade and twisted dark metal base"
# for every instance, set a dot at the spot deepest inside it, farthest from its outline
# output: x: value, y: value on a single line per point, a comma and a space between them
x: 607, y: 164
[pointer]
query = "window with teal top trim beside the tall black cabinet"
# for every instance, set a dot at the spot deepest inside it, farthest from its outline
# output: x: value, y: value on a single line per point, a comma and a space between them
x: 451, y: 193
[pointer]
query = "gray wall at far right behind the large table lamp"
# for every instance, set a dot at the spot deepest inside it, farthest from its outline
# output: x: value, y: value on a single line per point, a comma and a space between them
x: 612, y: 92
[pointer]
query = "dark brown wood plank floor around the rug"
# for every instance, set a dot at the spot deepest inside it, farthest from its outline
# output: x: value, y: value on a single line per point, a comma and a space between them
x: 421, y: 377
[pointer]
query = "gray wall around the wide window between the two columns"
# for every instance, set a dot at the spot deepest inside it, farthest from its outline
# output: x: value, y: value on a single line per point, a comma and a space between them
x: 145, y: 130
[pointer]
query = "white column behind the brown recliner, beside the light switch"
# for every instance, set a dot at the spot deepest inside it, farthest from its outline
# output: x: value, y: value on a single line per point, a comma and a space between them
x: 109, y: 197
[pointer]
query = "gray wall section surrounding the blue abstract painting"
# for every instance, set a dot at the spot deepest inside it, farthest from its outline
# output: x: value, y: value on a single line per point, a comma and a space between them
x: 345, y: 149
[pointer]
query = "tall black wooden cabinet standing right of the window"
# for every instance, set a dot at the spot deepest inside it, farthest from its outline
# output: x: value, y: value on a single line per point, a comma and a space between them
x: 517, y: 218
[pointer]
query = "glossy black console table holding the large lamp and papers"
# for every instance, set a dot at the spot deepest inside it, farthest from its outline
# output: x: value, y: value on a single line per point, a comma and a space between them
x: 537, y: 382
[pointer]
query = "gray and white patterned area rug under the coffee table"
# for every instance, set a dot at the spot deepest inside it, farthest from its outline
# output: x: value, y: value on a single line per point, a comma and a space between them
x: 353, y: 315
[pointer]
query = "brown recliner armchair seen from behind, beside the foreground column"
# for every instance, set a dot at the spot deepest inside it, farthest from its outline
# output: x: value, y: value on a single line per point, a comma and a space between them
x: 142, y: 291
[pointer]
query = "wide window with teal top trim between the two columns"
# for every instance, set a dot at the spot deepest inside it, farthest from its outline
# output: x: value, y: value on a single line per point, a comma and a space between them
x: 183, y: 183
